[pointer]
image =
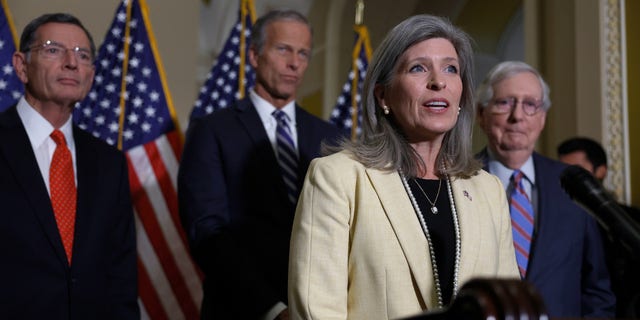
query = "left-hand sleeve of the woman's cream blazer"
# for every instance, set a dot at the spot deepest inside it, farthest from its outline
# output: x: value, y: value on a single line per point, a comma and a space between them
x: 318, y: 264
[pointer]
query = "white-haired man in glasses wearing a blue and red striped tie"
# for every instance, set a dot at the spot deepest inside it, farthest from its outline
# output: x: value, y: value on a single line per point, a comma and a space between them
x: 558, y: 246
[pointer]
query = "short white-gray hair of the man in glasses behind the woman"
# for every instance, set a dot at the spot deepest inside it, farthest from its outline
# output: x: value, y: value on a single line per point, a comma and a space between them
x: 504, y: 70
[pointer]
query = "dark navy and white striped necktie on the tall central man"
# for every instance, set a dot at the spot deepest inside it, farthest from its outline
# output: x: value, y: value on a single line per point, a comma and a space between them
x: 287, y: 154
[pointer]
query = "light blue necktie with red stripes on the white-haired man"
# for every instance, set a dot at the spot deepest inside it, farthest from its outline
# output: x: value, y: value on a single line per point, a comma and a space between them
x: 521, y: 221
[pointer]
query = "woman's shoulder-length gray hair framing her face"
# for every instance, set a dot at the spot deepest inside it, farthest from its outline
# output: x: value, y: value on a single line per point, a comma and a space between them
x: 382, y: 144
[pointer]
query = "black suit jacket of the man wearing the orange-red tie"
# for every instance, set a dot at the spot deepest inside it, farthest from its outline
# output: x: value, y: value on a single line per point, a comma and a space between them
x: 35, y: 279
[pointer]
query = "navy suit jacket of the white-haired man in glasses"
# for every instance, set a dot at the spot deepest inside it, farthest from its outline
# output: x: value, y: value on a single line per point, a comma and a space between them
x: 566, y: 260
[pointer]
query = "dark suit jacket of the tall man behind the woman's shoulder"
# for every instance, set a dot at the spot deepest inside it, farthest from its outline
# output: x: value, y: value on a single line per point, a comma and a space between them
x: 235, y: 211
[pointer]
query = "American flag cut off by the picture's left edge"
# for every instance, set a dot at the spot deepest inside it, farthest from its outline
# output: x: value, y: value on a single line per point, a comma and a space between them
x: 11, y: 88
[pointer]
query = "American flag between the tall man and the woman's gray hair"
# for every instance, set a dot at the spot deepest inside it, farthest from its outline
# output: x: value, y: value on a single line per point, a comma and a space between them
x: 348, y: 109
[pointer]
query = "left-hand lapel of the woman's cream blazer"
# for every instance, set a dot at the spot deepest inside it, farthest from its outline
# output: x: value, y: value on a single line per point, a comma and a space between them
x: 402, y: 217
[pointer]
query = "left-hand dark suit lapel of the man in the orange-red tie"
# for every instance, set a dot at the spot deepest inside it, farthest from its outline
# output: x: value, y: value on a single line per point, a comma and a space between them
x: 16, y: 149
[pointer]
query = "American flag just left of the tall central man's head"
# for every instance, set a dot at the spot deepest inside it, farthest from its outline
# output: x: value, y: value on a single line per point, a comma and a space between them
x: 231, y: 75
